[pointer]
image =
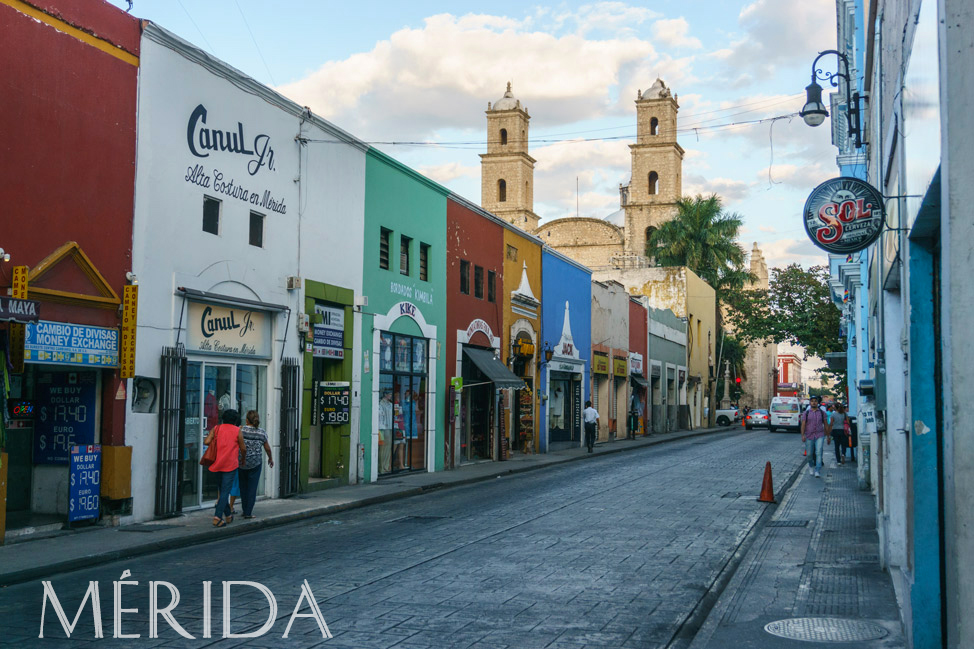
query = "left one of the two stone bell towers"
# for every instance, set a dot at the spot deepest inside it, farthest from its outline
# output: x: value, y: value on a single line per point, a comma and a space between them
x: 506, y: 170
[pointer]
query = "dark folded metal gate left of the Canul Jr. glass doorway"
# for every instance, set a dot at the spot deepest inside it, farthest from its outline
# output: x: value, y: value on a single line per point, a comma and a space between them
x: 172, y: 431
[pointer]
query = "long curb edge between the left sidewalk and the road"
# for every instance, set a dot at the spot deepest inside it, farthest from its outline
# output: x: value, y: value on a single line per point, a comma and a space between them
x: 208, y: 535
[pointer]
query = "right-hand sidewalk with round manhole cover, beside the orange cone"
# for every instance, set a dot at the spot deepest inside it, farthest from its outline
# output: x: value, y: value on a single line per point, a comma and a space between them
x: 812, y: 574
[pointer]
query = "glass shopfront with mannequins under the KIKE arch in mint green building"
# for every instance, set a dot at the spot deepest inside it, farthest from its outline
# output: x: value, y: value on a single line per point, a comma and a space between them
x: 402, y: 403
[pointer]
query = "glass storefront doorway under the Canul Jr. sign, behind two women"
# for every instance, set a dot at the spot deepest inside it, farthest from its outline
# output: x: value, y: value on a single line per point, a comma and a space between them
x: 211, y: 389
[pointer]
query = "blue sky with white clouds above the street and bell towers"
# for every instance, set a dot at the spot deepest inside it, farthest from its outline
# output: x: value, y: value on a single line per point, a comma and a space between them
x: 422, y: 73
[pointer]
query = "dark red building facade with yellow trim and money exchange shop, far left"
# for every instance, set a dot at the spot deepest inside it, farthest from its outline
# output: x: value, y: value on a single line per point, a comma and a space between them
x: 70, y: 88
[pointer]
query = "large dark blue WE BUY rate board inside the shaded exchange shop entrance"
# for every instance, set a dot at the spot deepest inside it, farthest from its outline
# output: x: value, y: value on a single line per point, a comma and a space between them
x: 64, y: 414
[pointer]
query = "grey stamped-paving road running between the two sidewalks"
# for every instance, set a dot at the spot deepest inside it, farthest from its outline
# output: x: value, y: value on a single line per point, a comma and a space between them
x: 611, y: 552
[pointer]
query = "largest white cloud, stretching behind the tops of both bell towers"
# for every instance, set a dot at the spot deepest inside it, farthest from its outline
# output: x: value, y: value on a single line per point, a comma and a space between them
x: 405, y: 87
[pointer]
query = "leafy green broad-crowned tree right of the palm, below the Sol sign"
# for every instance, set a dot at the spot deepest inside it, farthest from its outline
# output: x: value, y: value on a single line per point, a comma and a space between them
x: 797, y: 307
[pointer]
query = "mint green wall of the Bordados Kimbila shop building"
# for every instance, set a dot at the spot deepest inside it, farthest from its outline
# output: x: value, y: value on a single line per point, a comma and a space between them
x: 401, y: 200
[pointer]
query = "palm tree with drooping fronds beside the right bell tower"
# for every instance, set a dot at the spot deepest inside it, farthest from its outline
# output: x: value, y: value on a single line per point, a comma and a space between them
x: 702, y: 236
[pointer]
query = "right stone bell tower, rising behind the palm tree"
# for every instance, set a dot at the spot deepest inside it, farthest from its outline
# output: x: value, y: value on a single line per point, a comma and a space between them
x: 657, y: 167
